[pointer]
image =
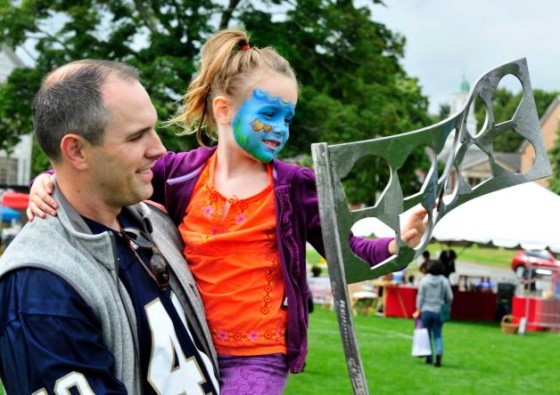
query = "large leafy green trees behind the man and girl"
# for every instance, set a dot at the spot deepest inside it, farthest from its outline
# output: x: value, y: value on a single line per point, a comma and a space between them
x: 353, y: 86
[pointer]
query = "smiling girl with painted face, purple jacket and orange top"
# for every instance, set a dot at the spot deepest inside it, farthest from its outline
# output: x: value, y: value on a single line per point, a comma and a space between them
x: 245, y: 217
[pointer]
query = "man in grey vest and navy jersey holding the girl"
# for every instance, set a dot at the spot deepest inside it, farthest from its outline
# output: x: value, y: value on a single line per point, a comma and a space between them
x: 98, y: 299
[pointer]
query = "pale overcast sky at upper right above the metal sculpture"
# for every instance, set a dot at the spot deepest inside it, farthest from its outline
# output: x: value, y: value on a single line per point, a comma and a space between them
x: 449, y: 39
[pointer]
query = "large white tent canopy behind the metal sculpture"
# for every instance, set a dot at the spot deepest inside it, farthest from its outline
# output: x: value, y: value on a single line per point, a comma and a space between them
x: 526, y: 216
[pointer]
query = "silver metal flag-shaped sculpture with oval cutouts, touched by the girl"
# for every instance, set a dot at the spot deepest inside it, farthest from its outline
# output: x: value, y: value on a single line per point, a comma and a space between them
x: 334, y: 162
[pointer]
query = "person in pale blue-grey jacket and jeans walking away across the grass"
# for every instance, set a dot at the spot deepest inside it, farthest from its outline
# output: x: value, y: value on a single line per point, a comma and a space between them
x: 433, y: 291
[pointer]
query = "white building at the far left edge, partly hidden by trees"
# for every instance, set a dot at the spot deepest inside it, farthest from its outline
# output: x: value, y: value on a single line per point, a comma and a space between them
x: 15, y: 169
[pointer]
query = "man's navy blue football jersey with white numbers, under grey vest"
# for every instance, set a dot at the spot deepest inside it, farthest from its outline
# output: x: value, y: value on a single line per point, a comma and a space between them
x: 52, y: 341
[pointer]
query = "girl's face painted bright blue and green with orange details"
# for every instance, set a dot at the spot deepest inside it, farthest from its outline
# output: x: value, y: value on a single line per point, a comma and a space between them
x: 262, y: 125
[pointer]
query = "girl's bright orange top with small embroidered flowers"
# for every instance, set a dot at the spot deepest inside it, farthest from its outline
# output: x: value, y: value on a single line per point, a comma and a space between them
x: 230, y: 245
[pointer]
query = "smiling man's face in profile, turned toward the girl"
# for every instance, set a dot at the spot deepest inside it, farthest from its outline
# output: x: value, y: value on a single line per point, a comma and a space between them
x: 121, y: 165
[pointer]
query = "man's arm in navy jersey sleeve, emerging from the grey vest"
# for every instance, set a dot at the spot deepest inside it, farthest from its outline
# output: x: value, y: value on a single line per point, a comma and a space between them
x: 50, y: 340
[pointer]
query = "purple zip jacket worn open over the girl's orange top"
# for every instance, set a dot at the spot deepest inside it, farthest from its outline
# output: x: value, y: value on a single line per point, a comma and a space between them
x: 175, y: 176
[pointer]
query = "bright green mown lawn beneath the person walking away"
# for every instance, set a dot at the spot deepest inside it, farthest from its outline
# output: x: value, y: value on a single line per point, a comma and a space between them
x: 478, y: 359
